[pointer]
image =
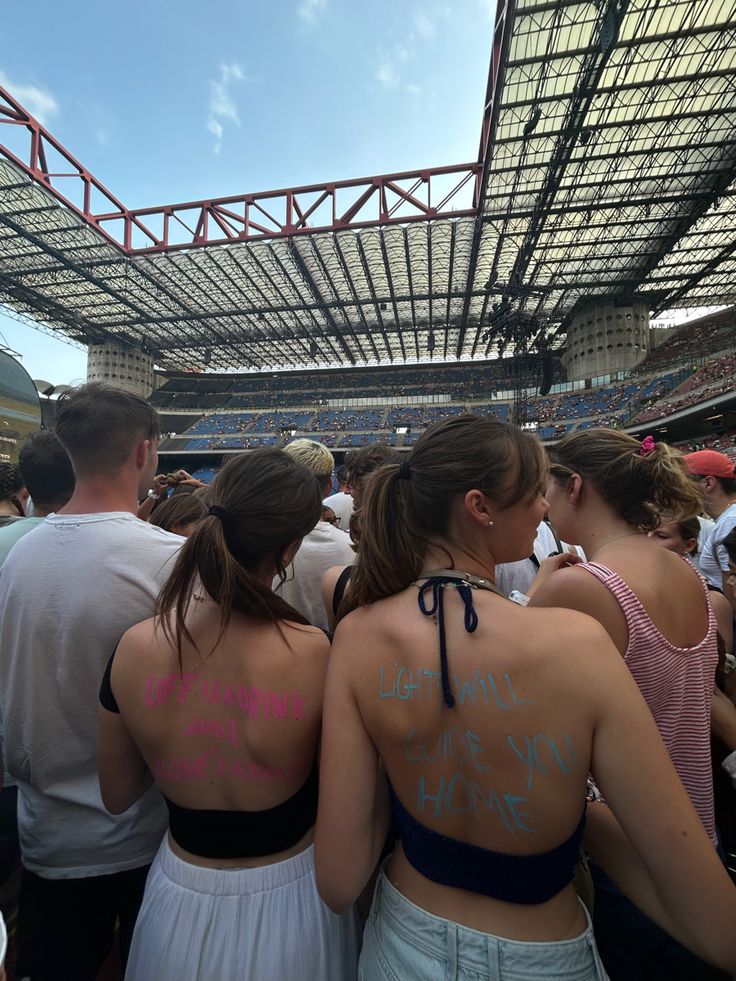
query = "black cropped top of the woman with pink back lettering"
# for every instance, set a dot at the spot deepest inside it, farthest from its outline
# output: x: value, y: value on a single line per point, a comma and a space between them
x: 235, y: 834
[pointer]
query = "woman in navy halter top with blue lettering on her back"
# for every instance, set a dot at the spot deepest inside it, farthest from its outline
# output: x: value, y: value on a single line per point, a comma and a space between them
x: 435, y: 690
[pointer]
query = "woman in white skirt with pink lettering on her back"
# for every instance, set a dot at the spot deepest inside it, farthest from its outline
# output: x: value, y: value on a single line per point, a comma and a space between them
x: 219, y: 699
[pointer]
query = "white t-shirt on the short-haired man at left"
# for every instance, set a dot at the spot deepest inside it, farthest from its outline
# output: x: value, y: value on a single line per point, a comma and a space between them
x: 68, y: 592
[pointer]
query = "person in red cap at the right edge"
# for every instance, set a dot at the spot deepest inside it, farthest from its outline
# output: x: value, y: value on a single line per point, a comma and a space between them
x: 715, y: 473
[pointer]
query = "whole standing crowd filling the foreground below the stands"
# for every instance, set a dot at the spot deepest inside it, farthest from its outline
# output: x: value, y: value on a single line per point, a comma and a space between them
x: 197, y: 765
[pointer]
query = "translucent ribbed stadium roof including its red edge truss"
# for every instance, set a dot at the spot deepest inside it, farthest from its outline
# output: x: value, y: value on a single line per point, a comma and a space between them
x: 606, y: 166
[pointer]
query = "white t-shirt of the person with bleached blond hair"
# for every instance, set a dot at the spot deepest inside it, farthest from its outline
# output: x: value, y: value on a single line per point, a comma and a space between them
x: 322, y: 548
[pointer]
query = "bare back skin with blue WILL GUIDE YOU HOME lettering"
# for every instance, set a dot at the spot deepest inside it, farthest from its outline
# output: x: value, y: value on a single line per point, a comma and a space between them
x: 504, y: 769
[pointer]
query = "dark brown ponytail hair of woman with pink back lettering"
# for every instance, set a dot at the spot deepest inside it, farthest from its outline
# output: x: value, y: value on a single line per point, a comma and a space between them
x: 262, y: 502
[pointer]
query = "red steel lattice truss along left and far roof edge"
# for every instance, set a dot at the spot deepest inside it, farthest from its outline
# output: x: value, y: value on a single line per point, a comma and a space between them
x: 359, y: 203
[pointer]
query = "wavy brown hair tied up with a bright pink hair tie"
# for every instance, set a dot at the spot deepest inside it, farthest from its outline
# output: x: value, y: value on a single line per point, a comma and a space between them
x: 639, y: 483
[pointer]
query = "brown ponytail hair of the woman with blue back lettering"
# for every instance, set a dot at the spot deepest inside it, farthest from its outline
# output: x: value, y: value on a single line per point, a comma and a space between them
x: 407, y: 507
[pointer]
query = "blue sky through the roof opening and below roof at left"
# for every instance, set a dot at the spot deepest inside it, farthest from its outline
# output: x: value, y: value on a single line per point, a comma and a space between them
x: 174, y: 101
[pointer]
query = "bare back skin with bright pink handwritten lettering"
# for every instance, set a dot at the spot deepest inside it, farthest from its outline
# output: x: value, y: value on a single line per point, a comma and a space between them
x: 235, y: 729
